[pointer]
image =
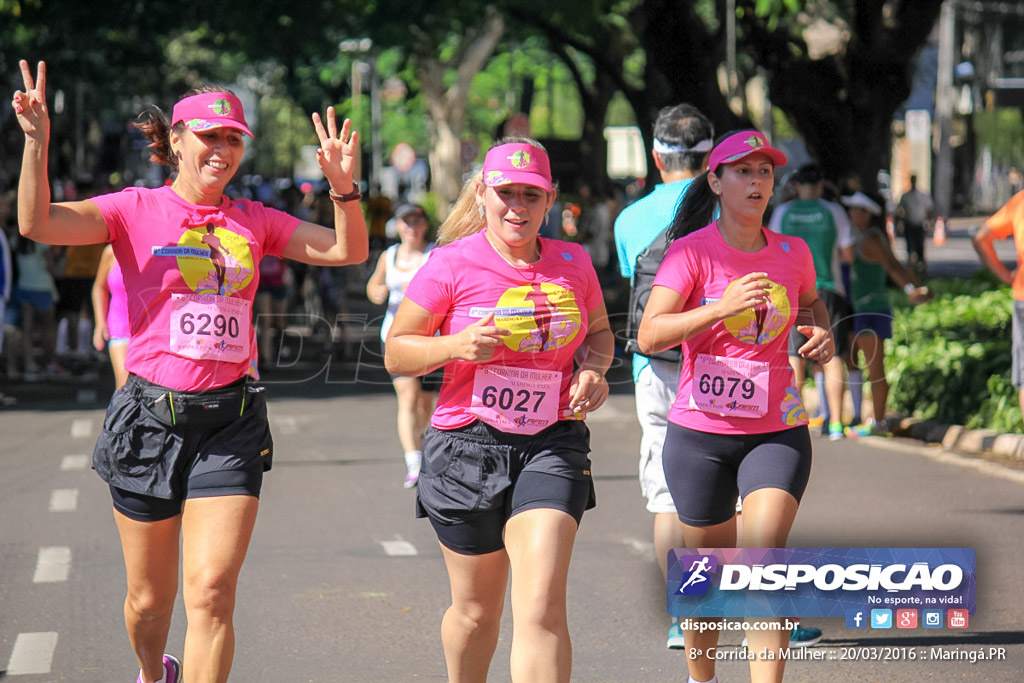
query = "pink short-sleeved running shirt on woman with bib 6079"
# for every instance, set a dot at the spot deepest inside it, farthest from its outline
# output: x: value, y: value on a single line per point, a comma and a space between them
x: 701, y: 268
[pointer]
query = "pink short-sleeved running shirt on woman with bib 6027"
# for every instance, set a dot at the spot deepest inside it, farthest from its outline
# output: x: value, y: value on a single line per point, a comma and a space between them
x: 546, y: 307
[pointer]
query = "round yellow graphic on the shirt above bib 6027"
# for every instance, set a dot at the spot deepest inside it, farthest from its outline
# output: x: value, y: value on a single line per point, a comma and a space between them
x: 540, y: 318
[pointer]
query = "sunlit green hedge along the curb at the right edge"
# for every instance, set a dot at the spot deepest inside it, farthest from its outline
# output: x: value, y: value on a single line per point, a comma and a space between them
x: 950, y: 360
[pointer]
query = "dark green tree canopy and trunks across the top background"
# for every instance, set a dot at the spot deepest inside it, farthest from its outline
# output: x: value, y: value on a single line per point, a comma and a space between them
x: 451, y: 59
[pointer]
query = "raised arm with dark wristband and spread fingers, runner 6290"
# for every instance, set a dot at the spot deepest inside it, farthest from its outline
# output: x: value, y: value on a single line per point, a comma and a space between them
x: 350, y: 242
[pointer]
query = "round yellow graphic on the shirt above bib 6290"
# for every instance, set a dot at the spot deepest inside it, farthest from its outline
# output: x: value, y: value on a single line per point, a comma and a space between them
x: 228, y: 268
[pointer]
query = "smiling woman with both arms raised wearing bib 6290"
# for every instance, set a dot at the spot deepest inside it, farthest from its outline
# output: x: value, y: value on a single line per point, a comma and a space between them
x: 187, y: 441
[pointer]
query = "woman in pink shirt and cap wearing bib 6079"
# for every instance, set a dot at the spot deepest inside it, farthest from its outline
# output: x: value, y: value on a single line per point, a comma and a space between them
x: 730, y: 291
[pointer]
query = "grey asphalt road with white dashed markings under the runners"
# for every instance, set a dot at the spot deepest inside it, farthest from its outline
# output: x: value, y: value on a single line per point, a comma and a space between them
x: 343, y: 584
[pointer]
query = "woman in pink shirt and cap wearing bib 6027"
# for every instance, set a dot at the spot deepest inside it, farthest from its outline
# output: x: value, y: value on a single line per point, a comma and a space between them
x: 525, y: 343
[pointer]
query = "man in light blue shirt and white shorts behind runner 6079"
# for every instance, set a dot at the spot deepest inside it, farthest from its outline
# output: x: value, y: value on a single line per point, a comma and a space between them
x: 684, y: 139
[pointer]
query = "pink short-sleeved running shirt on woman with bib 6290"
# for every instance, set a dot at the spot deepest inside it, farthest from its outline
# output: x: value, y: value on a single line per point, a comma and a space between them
x: 167, y: 246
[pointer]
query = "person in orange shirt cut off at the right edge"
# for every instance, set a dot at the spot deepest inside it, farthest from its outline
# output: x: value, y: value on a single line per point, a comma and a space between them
x: 1008, y: 221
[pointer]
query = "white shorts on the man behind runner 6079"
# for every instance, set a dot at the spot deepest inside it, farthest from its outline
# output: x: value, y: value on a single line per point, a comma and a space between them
x: 656, y: 392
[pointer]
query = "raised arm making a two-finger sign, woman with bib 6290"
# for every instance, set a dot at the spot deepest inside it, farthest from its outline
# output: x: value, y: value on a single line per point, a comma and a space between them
x: 66, y: 224
